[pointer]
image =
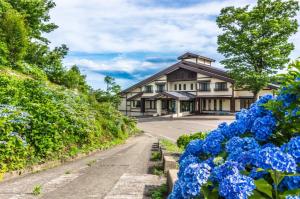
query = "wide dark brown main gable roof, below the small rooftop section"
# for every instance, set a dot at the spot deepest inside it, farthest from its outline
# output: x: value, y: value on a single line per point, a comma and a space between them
x: 199, y: 68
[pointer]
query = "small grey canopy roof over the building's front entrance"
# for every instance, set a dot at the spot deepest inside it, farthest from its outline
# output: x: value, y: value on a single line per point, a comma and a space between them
x: 179, y: 95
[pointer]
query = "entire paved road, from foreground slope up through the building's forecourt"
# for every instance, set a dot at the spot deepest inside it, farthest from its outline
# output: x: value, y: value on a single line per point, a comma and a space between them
x: 96, y: 175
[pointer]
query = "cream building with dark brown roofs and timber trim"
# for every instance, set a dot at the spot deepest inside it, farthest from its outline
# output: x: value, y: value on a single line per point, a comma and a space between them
x: 192, y: 85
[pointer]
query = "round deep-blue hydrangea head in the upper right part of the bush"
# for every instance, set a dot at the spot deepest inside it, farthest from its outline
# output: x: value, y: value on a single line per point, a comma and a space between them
x: 263, y: 127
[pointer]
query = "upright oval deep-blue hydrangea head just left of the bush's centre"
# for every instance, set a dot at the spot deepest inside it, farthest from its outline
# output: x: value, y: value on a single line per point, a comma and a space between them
x: 213, y: 143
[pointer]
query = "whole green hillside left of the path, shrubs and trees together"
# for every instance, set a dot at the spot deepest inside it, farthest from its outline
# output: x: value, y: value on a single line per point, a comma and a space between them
x: 47, y: 111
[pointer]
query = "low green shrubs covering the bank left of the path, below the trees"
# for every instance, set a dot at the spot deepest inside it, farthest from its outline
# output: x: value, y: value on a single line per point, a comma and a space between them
x: 61, y: 123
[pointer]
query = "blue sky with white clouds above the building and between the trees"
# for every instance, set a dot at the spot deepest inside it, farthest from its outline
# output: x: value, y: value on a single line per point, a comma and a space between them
x: 132, y: 39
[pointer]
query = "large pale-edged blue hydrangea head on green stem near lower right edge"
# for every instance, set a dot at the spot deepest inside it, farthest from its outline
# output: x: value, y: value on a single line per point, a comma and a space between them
x: 273, y: 158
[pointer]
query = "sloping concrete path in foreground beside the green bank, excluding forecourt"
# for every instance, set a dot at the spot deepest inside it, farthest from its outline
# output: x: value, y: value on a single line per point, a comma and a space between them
x: 78, y: 180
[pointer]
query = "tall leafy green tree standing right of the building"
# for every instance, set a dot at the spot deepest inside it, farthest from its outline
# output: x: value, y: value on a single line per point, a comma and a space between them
x: 255, y: 41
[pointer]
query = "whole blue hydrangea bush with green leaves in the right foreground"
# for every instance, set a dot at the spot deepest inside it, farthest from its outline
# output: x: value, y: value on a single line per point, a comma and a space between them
x: 256, y: 156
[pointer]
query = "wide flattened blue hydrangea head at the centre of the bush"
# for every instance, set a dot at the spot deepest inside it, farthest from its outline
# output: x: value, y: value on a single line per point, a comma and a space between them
x: 241, y: 144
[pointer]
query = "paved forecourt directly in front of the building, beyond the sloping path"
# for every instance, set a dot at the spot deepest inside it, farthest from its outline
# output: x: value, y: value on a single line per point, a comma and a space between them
x: 172, y: 128
